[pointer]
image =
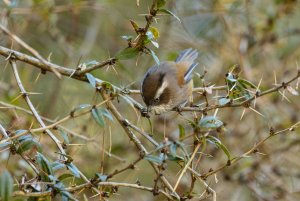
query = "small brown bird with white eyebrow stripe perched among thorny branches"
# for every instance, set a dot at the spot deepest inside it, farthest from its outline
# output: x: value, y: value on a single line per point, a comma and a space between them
x: 169, y: 85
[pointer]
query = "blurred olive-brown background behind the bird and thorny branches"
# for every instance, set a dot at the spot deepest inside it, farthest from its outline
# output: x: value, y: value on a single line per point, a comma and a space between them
x: 262, y: 37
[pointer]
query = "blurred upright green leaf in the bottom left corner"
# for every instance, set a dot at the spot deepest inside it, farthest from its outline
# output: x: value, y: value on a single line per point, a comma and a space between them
x: 6, y: 186
